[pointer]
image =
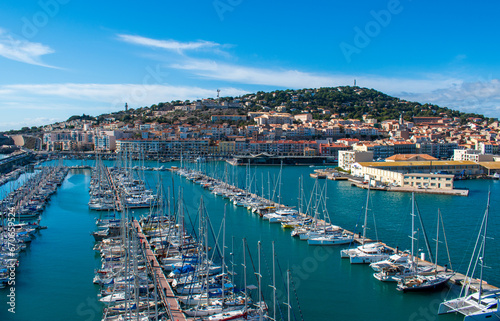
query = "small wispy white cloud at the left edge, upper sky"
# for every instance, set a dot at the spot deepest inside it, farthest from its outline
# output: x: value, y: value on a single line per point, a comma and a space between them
x: 22, y: 50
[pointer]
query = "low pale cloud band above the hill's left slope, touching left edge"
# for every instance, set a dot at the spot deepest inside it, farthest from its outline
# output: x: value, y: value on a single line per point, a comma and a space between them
x: 60, y: 101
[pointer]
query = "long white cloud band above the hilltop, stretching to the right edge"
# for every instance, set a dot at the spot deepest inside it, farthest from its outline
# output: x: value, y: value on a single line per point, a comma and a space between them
x: 481, y: 97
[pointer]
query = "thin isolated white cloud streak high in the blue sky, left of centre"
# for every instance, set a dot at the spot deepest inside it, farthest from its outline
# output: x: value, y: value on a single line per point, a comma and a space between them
x: 168, y: 44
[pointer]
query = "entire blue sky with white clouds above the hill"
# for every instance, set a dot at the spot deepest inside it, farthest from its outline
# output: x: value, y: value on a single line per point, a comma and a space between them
x: 65, y: 57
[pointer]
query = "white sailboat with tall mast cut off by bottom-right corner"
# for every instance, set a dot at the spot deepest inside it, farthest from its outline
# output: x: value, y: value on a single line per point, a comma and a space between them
x: 483, y: 304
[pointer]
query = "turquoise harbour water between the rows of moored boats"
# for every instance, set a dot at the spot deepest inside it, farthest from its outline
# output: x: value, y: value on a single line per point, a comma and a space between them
x: 54, y: 281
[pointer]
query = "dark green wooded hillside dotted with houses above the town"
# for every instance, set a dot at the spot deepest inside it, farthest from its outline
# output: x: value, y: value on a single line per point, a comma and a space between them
x: 347, y: 102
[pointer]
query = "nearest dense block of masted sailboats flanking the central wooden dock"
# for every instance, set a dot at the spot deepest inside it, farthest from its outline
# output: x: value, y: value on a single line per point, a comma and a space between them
x: 133, y: 282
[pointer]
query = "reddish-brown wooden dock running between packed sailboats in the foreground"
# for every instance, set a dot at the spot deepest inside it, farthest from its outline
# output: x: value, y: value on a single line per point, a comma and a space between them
x: 167, y: 295
